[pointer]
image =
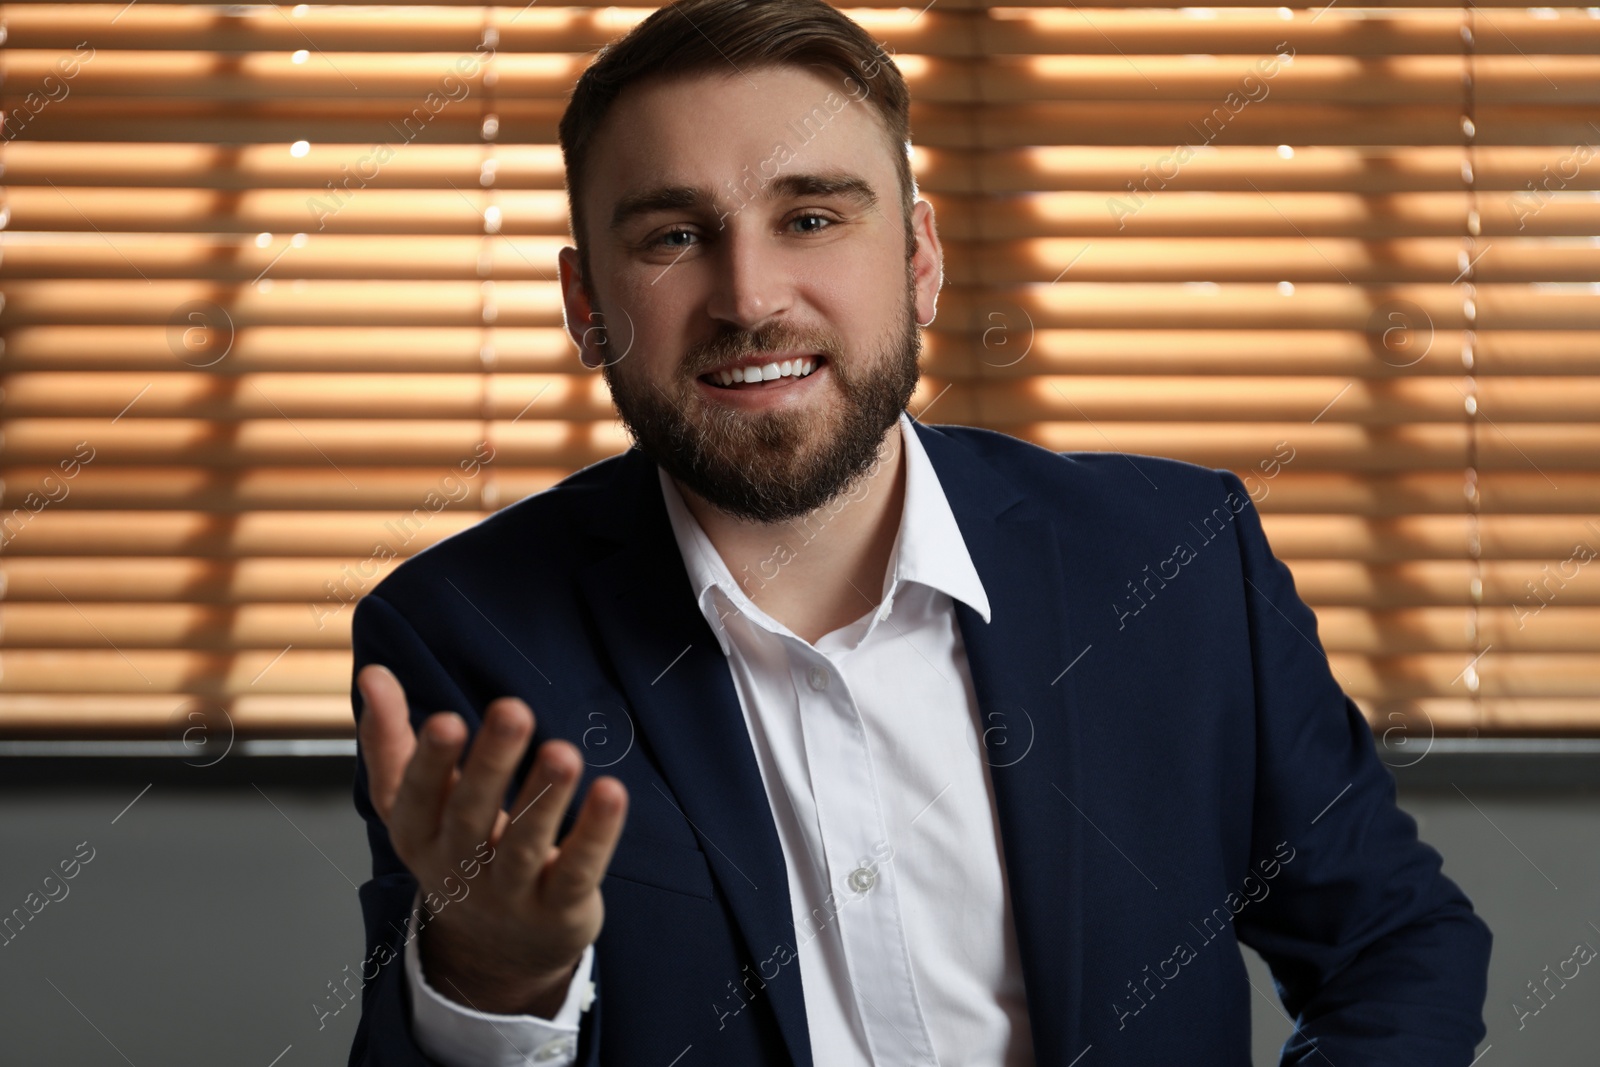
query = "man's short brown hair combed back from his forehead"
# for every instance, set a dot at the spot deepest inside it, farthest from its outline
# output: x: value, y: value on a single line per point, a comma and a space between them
x: 695, y: 38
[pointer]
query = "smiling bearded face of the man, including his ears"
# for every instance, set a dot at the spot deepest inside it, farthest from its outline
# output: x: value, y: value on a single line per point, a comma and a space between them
x: 753, y: 222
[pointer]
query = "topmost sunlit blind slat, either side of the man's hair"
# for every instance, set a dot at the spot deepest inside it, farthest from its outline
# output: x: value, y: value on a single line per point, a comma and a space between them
x: 948, y: 31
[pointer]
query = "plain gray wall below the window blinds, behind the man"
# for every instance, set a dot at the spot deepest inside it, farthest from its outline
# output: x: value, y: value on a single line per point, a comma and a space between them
x: 218, y: 908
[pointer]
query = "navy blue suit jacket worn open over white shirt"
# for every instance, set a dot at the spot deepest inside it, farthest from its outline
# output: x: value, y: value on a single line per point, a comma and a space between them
x: 1175, y: 770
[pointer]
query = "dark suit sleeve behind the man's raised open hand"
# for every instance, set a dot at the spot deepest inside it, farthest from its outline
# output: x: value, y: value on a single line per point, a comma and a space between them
x: 385, y: 1036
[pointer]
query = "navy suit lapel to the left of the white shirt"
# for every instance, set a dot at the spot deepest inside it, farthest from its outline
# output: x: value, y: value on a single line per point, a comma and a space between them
x: 687, y: 708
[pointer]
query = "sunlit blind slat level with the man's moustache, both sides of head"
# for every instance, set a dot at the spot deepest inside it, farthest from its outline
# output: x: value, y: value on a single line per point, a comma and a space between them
x: 1002, y: 348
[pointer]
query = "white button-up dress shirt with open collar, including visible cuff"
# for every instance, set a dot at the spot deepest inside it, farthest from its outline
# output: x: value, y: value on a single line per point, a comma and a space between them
x: 871, y: 757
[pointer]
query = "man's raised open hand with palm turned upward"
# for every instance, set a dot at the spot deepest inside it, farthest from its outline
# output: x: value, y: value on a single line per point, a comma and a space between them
x: 519, y: 911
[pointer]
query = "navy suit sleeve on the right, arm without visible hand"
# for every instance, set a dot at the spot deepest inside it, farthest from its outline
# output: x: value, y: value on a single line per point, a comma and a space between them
x: 1377, y: 954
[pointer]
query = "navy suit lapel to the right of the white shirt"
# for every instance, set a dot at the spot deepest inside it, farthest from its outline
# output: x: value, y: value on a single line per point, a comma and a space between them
x: 1028, y: 714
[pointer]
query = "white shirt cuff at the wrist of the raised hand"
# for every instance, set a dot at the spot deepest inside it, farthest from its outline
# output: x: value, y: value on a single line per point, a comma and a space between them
x: 458, y: 1036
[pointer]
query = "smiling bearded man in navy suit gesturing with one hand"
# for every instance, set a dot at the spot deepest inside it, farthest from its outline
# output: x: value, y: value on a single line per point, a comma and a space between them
x: 897, y: 745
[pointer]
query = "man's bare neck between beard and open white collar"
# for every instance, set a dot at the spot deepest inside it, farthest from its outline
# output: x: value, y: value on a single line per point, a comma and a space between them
x: 825, y: 570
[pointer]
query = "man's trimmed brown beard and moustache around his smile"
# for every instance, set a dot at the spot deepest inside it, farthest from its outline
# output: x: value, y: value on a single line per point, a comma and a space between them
x: 774, y: 466
